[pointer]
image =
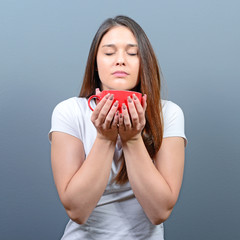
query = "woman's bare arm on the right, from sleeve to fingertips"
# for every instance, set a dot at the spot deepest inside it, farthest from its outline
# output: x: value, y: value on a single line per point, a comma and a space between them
x: 156, y: 185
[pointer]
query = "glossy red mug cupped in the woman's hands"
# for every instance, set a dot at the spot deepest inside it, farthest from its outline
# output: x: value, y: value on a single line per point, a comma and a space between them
x: 120, y: 96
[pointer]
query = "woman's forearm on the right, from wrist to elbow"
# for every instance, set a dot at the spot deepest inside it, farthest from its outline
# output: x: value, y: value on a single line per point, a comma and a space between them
x: 149, y: 186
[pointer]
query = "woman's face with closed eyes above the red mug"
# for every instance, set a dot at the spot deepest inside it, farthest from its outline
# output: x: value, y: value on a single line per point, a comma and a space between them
x: 118, y: 60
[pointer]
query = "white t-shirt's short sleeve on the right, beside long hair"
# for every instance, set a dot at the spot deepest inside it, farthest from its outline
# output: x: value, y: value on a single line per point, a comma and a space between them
x: 173, y: 117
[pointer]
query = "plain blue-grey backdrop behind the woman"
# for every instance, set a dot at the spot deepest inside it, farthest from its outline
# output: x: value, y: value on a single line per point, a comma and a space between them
x: 43, y: 52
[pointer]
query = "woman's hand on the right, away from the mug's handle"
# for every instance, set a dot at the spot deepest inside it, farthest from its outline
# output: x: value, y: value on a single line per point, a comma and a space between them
x: 132, y: 121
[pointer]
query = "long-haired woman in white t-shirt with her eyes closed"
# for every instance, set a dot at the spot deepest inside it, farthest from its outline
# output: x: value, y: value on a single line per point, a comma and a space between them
x: 118, y: 175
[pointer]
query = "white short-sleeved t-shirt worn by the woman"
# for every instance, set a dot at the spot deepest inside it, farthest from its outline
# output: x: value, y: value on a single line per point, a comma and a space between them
x: 118, y: 215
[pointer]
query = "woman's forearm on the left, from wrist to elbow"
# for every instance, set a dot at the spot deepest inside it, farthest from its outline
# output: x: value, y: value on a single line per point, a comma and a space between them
x: 89, y: 182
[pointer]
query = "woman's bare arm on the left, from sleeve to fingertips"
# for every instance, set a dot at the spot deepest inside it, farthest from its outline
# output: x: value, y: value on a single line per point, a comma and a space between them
x: 81, y: 182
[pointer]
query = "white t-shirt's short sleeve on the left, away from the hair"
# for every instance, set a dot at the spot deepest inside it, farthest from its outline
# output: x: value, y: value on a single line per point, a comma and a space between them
x: 64, y: 119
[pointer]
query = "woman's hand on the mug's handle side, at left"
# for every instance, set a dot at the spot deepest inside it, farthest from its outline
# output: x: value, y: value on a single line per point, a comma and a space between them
x: 105, y: 118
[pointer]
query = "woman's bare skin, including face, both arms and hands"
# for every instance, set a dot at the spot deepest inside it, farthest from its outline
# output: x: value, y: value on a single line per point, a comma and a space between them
x: 158, y: 190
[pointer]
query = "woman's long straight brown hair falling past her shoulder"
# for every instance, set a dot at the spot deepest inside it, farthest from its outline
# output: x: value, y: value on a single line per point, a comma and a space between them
x: 149, y: 84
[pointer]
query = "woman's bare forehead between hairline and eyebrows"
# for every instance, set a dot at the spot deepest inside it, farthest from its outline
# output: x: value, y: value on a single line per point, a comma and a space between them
x: 118, y: 34
